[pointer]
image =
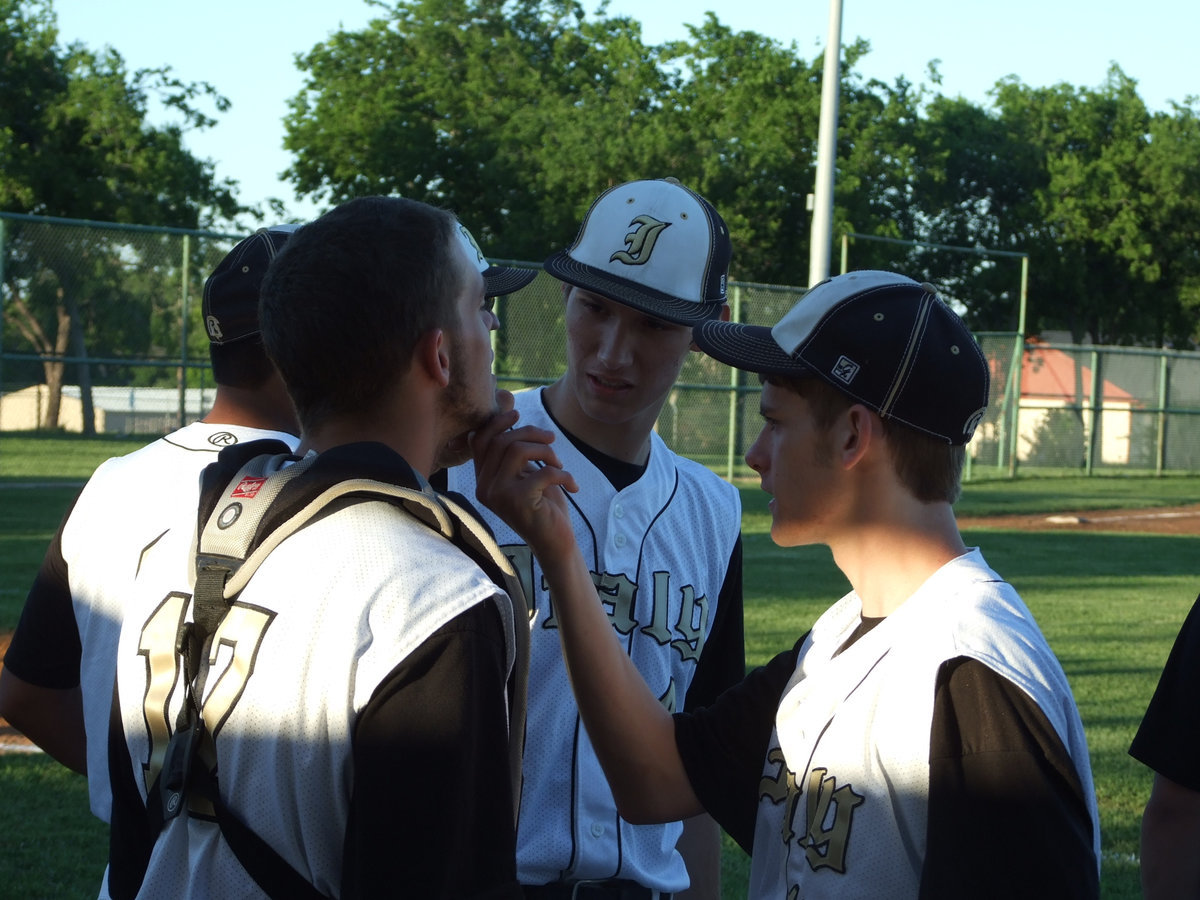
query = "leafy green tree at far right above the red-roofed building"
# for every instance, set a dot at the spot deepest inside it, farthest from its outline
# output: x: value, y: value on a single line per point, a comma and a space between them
x: 1099, y: 193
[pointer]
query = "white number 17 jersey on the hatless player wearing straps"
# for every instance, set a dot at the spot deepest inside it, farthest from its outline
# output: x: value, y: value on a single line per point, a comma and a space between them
x: 316, y: 644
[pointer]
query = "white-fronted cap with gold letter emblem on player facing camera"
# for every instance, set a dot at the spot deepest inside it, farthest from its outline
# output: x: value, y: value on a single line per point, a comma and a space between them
x: 653, y: 245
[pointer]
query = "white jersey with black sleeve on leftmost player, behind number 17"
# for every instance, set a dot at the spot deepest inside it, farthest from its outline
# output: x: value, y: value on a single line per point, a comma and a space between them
x: 128, y: 505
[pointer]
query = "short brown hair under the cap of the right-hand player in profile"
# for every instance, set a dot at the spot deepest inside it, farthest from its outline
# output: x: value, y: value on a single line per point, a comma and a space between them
x: 929, y: 467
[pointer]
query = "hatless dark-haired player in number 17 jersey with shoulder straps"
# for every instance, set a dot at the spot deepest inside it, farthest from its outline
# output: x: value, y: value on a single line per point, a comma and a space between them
x: 359, y: 715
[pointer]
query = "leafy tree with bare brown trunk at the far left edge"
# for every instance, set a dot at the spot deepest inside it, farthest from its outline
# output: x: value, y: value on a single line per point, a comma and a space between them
x: 76, y: 143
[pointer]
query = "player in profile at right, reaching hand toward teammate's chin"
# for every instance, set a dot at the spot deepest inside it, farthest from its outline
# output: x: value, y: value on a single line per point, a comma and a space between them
x: 922, y: 740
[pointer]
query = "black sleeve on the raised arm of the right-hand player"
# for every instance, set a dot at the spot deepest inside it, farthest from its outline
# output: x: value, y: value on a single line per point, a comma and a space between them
x: 724, y: 747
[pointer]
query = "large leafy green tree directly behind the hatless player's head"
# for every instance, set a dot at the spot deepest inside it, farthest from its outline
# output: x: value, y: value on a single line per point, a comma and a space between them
x: 509, y: 113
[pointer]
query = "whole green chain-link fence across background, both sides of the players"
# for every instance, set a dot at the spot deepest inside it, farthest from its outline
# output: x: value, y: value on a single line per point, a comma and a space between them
x: 101, y: 332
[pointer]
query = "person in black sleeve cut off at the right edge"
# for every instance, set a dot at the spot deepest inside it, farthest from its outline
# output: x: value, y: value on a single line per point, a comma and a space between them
x: 1167, y: 742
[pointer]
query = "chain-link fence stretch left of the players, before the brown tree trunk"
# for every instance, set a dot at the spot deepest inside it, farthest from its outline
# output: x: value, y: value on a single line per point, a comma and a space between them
x: 101, y: 326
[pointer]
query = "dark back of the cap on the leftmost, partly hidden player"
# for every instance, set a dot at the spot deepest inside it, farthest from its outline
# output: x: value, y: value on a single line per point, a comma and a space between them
x: 231, y: 295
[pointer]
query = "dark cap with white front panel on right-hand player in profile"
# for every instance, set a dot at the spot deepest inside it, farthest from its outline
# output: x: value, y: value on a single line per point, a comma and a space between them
x: 884, y: 339
